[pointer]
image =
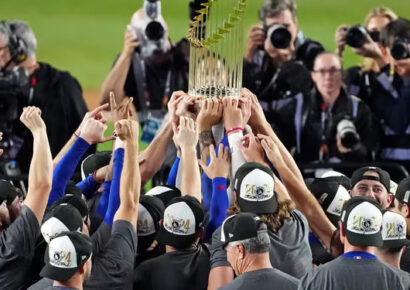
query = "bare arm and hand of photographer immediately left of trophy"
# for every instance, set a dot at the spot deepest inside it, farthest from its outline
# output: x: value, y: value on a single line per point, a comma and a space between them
x: 115, y: 80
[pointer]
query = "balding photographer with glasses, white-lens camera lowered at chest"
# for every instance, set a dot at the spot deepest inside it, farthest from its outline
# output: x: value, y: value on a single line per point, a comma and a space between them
x: 330, y: 124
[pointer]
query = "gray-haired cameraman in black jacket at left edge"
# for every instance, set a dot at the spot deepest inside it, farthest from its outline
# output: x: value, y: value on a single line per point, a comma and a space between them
x: 55, y: 92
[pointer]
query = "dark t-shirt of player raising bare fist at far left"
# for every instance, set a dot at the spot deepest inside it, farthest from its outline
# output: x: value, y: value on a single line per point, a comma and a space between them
x: 17, y: 244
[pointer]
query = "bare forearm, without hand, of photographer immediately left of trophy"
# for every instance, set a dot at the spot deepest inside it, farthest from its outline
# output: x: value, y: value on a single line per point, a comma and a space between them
x: 115, y: 80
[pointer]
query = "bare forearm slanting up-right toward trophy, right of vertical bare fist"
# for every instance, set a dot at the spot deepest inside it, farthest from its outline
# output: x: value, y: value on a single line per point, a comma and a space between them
x: 157, y: 148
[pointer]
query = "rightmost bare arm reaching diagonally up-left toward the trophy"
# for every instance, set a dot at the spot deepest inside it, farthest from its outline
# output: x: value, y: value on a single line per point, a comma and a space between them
x: 301, y: 196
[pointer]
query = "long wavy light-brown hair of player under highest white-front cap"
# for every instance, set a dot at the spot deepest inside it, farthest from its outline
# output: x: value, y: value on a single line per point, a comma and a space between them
x: 273, y: 220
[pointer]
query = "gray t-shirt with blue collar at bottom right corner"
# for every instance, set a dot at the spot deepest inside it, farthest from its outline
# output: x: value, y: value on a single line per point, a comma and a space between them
x: 352, y: 274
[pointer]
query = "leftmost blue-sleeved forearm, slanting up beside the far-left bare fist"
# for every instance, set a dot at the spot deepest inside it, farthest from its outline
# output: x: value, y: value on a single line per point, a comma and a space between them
x: 65, y: 169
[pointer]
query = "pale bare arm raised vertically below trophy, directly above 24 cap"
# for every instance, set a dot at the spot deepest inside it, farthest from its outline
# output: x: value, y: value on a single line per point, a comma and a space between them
x: 186, y: 137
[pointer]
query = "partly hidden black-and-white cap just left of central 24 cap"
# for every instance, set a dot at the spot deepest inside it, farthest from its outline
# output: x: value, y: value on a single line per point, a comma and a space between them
x: 150, y: 212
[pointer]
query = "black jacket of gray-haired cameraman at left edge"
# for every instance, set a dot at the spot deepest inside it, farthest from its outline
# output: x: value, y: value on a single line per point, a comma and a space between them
x: 59, y: 96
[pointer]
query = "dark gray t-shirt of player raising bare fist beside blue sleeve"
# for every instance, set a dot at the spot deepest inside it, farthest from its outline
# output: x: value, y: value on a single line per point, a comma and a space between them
x: 113, y: 265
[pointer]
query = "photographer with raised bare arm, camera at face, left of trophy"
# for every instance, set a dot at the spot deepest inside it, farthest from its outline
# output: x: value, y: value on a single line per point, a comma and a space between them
x: 149, y: 68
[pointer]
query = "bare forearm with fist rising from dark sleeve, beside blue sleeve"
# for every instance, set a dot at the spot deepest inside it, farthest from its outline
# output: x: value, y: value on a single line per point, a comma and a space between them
x: 130, y: 184
